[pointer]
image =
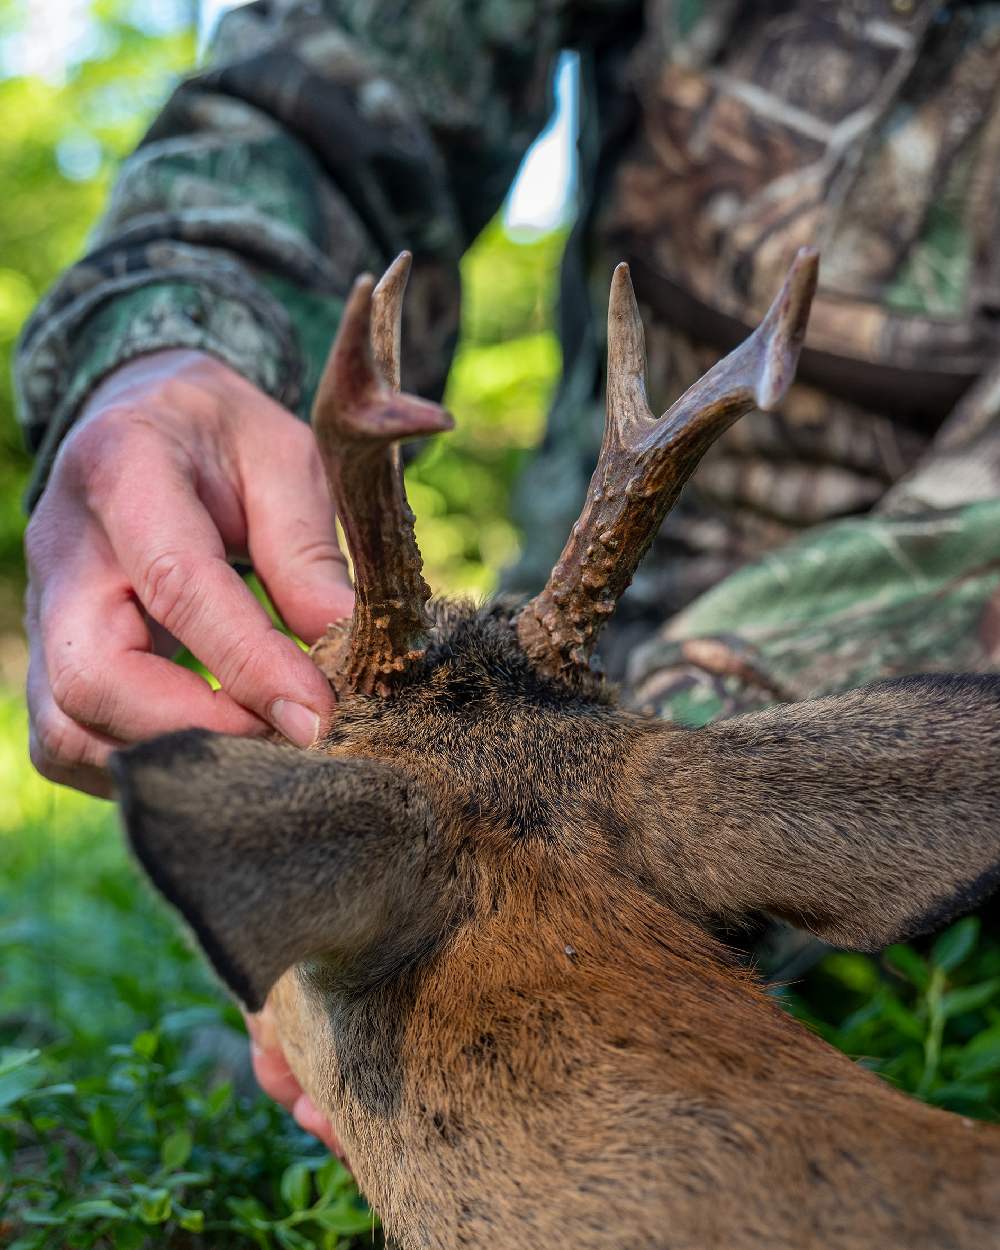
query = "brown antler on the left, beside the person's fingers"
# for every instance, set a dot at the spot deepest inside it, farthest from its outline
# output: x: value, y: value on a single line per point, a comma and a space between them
x: 359, y: 419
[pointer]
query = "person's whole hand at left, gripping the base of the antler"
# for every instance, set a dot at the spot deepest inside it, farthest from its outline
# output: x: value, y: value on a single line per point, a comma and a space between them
x: 177, y: 464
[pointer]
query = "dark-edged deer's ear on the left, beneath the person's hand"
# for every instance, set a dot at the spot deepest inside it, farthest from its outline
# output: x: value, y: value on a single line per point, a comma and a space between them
x: 272, y: 856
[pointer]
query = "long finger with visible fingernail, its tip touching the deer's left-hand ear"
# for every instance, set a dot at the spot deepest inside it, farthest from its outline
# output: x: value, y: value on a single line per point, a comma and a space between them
x: 172, y: 553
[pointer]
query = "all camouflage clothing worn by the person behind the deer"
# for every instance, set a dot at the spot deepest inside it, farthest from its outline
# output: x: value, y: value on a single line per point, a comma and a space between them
x: 853, y: 536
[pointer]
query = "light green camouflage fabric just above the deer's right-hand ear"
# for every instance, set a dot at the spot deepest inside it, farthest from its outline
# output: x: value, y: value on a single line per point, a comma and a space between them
x: 912, y: 588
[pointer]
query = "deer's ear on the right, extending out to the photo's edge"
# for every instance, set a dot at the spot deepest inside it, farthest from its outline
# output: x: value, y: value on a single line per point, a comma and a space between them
x: 867, y: 818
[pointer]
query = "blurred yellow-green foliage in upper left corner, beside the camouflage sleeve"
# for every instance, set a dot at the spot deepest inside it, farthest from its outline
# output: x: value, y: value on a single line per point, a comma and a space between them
x: 58, y: 147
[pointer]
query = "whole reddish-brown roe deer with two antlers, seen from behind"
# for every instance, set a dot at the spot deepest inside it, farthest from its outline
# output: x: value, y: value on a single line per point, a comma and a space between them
x: 483, y: 909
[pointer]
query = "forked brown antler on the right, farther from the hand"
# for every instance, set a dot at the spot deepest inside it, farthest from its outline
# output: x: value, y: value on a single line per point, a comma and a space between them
x: 644, y: 462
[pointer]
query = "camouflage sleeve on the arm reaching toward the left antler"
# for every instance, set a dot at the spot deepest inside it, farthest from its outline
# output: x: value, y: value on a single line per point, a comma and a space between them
x: 323, y: 137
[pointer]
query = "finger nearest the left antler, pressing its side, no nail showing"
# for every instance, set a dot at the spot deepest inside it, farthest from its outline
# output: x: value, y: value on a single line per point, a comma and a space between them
x: 292, y: 533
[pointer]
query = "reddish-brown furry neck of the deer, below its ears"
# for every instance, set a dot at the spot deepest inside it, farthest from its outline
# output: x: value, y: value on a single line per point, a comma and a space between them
x: 569, y: 1049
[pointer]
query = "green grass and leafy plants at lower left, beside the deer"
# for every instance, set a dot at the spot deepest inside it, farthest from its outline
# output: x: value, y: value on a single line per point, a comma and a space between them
x: 128, y: 1117
